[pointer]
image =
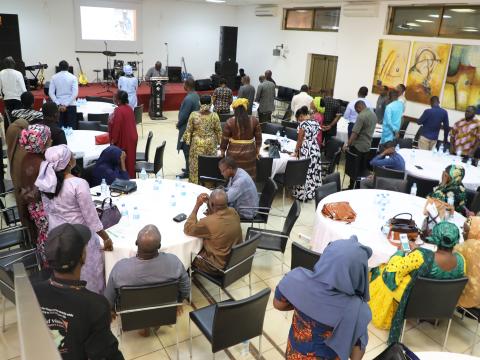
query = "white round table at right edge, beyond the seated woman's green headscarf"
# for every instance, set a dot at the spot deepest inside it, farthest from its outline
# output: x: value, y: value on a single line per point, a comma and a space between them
x: 432, y: 164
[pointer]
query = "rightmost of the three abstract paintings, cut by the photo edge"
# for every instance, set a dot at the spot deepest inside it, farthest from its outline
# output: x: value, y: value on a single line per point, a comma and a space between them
x: 462, y: 87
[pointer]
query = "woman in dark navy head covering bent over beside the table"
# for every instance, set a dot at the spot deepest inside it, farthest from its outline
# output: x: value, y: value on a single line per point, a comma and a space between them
x: 110, y: 166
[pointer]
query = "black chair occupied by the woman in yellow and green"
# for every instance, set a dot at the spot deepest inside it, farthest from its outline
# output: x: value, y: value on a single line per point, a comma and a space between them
x: 433, y: 299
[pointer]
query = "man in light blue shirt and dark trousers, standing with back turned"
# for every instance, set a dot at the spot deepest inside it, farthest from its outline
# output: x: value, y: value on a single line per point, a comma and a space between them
x: 63, y: 91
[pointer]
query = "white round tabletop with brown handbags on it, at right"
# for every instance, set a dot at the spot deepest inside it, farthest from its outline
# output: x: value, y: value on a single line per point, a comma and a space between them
x: 367, y: 226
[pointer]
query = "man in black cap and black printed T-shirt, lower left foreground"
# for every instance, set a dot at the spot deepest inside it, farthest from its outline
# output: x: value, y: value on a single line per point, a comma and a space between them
x: 79, y: 319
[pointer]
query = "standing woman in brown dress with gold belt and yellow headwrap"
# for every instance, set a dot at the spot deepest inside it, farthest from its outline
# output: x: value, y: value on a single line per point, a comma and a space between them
x: 242, y: 138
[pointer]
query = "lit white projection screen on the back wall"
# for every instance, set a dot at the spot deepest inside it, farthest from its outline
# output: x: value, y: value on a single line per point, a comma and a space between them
x: 99, y: 23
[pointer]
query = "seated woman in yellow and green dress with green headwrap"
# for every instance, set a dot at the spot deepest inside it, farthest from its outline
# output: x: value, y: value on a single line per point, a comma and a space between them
x: 392, y: 283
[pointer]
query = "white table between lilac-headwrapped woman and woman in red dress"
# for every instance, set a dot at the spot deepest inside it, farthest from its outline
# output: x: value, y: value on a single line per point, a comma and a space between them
x: 82, y: 144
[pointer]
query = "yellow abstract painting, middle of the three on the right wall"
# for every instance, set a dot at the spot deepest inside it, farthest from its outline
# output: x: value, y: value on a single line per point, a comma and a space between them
x: 426, y: 72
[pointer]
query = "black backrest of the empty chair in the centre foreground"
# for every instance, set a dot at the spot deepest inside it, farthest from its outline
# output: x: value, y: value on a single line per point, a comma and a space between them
x: 247, y: 315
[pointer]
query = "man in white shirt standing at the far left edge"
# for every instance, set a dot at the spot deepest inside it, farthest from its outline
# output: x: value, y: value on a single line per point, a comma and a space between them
x: 12, y: 85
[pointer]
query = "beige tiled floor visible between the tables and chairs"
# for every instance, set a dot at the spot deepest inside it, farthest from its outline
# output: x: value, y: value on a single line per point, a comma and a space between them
x: 267, y: 271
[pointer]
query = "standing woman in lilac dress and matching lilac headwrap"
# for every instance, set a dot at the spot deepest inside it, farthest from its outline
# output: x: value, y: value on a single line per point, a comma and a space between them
x: 67, y: 199
